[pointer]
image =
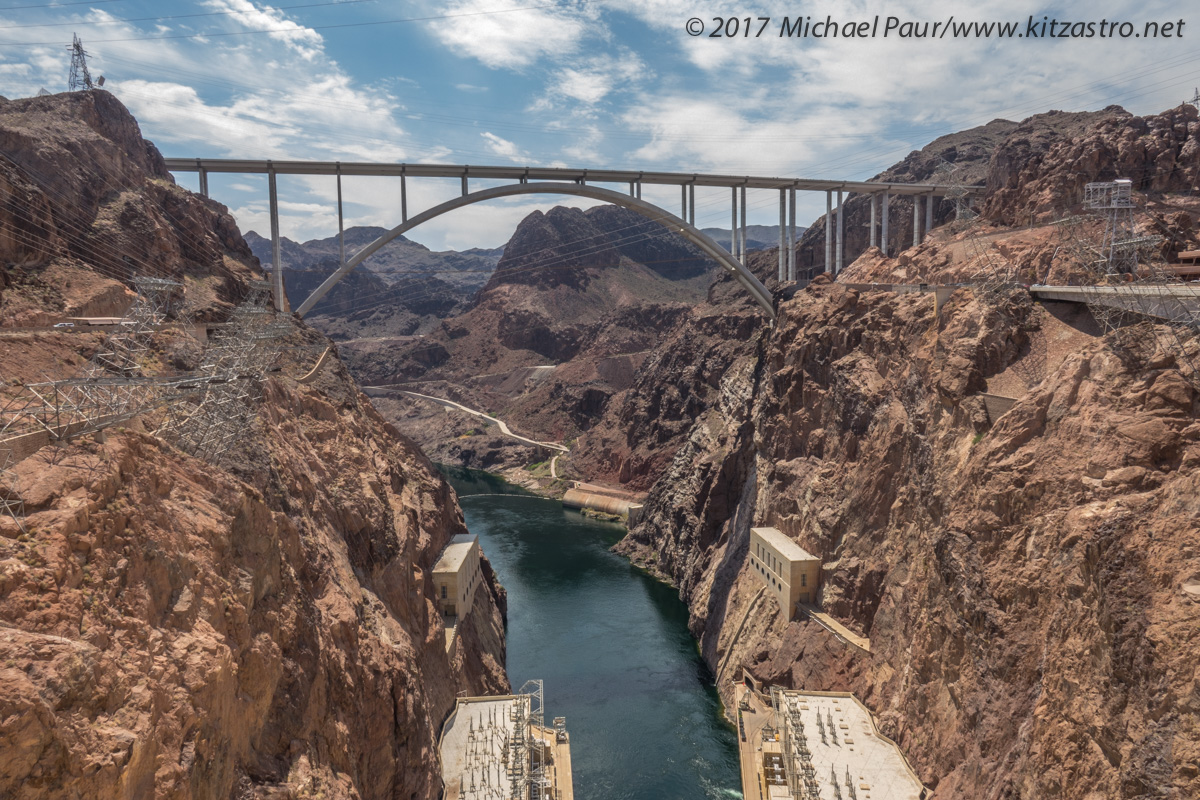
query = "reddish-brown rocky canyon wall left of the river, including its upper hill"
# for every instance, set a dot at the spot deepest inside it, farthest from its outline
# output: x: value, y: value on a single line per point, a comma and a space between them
x: 265, y: 628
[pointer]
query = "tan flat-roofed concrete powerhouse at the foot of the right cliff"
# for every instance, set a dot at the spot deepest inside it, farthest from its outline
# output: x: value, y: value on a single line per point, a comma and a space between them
x: 844, y: 748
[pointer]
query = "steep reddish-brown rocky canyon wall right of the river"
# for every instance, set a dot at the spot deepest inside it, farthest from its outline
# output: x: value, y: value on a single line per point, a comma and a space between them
x: 1027, y: 573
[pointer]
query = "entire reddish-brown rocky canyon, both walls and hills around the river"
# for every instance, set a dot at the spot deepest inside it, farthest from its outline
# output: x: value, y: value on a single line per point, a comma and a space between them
x: 1027, y: 575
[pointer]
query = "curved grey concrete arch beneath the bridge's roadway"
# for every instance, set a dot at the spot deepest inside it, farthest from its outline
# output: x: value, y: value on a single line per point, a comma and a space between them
x: 746, y: 278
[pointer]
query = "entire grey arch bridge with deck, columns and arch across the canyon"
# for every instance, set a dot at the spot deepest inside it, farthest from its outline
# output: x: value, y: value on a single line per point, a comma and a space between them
x: 583, y: 183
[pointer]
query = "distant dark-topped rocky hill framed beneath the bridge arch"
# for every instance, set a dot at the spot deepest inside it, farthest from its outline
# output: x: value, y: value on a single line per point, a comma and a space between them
x: 575, y: 305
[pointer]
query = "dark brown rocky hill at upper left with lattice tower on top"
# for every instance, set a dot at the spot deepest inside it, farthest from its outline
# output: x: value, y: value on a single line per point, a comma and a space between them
x: 89, y: 203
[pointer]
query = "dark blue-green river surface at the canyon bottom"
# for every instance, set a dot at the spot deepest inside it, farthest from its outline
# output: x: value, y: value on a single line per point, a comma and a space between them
x: 613, y: 647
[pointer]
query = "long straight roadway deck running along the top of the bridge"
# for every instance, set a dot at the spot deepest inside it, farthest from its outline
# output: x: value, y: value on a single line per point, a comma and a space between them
x: 250, y: 166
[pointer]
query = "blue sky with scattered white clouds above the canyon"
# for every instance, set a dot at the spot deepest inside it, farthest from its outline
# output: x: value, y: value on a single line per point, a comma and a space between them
x: 608, y: 85
